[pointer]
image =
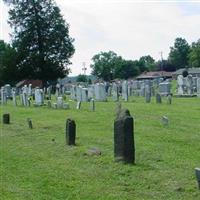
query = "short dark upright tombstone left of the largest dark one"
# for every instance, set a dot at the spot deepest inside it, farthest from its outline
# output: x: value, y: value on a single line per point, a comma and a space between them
x: 70, y: 132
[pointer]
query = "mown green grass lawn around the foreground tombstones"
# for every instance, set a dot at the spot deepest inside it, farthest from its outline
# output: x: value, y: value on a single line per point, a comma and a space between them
x: 32, y: 166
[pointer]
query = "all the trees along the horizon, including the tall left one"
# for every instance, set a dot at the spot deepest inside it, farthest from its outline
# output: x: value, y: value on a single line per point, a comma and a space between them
x: 41, y: 48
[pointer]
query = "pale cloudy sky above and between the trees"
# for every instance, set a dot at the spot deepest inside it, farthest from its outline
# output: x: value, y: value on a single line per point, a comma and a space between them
x: 130, y: 28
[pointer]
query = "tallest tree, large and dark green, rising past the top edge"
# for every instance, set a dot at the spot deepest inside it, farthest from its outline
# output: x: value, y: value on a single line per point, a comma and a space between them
x: 41, y: 38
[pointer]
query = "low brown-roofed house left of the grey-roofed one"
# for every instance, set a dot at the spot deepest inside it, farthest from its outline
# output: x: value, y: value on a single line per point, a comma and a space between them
x: 154, y: 75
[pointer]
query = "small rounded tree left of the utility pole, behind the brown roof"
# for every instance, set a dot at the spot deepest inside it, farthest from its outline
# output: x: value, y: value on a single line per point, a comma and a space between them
x: 146, y: 63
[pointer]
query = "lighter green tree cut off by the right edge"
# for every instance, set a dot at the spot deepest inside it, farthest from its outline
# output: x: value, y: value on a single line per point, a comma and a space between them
x: 194, y: 56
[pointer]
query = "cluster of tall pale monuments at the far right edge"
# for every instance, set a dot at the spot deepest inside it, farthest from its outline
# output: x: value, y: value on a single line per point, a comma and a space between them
x: 188, y: 85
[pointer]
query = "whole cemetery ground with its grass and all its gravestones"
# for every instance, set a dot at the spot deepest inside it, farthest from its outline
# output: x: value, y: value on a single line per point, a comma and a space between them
x: 137, y: 140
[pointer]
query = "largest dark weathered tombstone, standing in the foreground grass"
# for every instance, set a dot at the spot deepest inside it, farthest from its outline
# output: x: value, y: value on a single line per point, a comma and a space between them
x: 124, y: 148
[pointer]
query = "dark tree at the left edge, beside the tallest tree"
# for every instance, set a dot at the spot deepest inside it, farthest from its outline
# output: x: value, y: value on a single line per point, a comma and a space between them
x: 8, y: 64
